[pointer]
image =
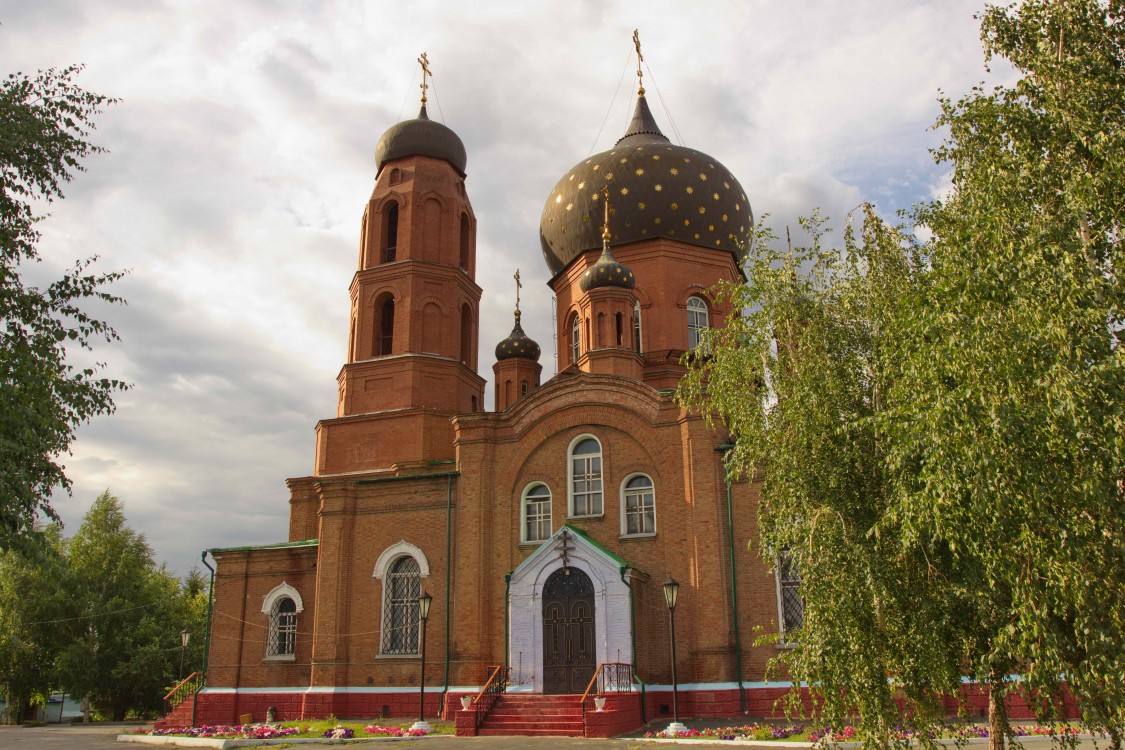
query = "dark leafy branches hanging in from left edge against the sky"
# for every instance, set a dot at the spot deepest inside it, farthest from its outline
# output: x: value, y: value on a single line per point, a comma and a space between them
x: 44, y: 126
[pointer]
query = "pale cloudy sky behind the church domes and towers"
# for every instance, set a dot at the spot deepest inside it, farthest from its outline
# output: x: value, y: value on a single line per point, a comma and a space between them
x: 241, y: 159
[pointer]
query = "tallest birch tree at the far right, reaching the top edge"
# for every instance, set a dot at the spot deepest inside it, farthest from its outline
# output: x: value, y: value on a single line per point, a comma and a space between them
x: 1009, y: 435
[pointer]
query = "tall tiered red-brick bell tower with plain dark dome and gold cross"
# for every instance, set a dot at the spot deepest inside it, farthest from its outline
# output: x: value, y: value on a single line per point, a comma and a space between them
x: 412, y: 345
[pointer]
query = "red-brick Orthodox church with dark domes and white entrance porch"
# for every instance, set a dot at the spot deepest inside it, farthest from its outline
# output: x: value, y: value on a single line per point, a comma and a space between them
x: 545, y: 529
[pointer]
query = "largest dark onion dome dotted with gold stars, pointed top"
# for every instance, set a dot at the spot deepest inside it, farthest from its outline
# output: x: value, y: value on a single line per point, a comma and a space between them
x: 658, y: 189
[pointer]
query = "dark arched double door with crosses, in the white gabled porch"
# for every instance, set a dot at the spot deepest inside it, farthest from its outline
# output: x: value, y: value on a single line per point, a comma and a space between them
x: 569, y: 632
